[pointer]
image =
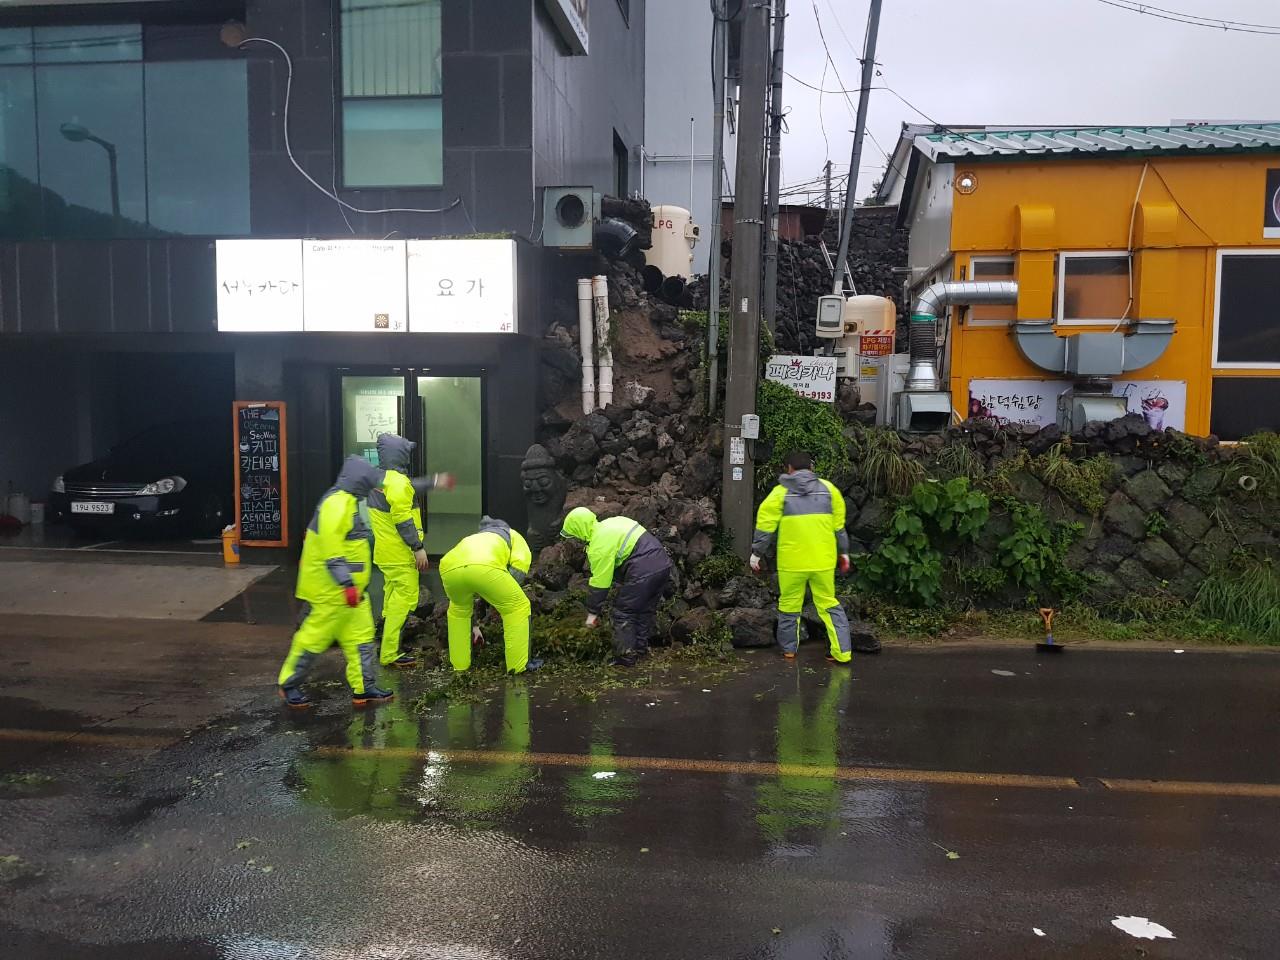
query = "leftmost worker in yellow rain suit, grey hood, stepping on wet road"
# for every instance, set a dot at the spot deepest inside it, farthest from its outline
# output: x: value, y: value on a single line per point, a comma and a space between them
x: 333, y: 578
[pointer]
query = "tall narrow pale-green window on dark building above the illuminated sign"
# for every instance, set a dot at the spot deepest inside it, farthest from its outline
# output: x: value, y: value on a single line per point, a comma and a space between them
x: 392, y: 131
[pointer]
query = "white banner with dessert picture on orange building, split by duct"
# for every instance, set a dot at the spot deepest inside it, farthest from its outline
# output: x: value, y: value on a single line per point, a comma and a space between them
x: 1162, y: 403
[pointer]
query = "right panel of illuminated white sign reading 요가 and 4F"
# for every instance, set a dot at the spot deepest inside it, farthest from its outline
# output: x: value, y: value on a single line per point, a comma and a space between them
x: 463, y: 286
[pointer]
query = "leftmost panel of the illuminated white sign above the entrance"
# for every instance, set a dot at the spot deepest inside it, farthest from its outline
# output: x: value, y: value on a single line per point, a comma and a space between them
x: 259, y: 286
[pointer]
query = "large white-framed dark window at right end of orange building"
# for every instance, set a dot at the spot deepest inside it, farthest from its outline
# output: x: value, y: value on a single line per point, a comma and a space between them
x: 1247, y: 318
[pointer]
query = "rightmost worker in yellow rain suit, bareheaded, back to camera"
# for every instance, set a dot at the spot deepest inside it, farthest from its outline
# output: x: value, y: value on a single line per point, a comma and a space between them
x: 804, y: 519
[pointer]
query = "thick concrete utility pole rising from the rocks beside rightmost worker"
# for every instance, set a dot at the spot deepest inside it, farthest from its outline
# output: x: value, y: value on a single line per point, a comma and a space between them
x: 744, y: 346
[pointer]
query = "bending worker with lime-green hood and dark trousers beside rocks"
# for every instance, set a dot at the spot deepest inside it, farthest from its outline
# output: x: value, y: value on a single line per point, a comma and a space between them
x: 621, y: 547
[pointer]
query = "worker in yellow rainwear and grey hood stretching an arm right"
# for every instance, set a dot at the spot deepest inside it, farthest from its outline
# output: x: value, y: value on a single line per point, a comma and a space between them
x: 400, y: 551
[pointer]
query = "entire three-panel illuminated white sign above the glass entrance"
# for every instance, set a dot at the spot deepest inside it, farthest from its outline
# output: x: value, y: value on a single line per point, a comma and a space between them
x: 351, y: 286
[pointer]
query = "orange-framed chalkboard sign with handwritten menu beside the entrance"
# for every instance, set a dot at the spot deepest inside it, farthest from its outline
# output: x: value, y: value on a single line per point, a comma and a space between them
x: 262, y: 474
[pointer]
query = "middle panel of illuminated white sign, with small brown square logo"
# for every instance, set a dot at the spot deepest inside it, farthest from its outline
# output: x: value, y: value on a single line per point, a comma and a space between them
x: 354, y: 287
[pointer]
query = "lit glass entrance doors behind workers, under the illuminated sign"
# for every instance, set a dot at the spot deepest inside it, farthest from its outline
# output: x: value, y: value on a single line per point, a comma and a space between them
x: 445, y: 415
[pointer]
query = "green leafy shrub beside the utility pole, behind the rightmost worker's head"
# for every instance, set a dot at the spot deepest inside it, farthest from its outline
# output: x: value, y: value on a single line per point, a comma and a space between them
x: 793, y: 423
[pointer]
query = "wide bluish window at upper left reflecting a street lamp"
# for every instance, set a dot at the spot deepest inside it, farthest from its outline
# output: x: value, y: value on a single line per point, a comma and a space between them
x: 95, y: 141
